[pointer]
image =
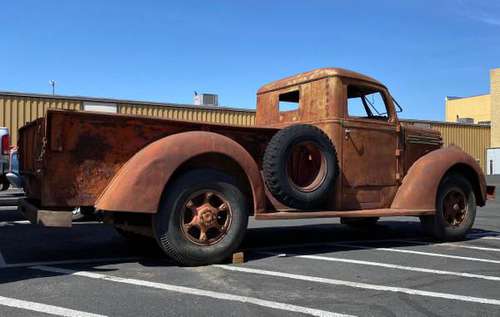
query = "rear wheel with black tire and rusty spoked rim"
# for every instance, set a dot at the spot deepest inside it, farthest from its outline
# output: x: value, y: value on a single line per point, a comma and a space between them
x: 169, y: 223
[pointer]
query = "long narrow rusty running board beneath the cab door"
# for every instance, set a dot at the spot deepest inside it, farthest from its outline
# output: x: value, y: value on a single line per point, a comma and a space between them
x: 384, y: 212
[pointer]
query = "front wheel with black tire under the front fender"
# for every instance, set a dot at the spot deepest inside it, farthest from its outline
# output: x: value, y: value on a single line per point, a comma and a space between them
x: 444, y: 227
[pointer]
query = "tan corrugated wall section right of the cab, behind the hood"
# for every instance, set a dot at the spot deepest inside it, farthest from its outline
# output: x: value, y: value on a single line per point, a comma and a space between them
x: 473, y: 139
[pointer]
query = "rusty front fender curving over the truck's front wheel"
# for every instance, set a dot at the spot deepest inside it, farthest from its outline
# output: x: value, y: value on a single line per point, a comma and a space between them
x: 421, y: 183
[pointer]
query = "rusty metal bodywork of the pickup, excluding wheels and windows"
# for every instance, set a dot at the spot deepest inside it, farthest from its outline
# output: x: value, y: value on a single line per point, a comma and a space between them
x: 384, y: 167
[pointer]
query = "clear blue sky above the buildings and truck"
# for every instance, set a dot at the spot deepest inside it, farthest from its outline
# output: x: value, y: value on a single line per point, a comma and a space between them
x: 165, y: 50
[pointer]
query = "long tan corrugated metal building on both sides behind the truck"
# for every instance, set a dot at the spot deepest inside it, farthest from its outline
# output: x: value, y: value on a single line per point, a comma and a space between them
x: 18, y: 108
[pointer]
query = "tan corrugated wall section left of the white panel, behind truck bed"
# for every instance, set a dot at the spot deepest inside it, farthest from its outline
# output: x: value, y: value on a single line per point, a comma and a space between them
x: 15, y: 111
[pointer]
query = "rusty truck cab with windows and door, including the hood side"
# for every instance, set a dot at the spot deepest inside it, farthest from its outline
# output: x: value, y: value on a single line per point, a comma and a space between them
x: 360, y: 116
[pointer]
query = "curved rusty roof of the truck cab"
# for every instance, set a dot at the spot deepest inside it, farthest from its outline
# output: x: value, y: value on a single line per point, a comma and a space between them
x: 314, y: 75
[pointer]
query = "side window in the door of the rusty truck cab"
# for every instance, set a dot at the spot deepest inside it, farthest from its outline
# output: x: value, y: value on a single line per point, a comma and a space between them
x: 366, y: 103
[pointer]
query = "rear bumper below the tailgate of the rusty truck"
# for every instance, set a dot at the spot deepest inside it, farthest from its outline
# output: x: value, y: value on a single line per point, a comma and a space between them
x: 46, y: 218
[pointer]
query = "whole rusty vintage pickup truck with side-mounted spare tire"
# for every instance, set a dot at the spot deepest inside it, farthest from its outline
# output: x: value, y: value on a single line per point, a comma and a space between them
x: 327, y: 143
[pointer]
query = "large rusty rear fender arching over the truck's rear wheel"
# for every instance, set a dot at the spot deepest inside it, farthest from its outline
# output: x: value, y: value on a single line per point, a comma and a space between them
x: 138, y: 185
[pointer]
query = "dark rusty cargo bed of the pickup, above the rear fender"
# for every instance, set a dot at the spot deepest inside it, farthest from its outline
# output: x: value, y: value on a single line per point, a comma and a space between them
x: 67, y: 158
